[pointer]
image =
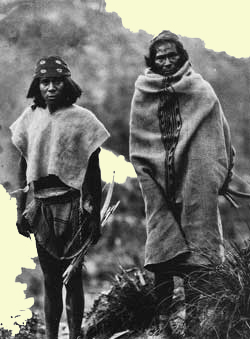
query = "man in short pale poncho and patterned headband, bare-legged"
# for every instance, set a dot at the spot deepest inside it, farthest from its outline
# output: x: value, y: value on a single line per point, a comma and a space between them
x: 59, y: 143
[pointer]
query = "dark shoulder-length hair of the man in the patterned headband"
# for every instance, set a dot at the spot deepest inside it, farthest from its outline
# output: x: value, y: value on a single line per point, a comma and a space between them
x: 71, y: 92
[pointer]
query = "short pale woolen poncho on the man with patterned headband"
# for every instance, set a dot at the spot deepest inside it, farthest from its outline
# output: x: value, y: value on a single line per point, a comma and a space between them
x: 60, y: 143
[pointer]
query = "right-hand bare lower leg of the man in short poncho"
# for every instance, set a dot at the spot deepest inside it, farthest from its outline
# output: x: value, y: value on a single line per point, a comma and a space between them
x: 75, y: 305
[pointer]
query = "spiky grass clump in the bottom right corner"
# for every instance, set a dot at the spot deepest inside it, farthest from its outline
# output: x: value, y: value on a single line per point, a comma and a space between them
x: 222, y: 303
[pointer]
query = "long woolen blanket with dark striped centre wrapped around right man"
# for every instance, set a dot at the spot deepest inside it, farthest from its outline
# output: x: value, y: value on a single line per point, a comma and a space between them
x: 202, y: 158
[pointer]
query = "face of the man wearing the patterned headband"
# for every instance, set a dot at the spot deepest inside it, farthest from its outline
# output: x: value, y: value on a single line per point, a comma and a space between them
x: 51, y: 90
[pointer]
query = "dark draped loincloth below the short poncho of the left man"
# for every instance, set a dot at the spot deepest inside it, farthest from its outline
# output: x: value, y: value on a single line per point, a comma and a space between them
x: 55, y: 222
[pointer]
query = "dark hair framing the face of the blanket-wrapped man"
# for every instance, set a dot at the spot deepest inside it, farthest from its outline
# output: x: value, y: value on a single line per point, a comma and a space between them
x: 150, y: 59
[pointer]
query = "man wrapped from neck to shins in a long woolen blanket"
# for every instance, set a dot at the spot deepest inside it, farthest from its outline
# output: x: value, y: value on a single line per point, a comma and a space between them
x: 181, y: 149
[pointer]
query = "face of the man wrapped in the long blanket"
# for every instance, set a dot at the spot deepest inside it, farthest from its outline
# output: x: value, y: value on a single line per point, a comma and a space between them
x: 167, y: 59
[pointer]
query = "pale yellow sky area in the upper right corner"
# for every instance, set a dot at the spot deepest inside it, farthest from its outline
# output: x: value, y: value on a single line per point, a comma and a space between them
x: 223, y: 25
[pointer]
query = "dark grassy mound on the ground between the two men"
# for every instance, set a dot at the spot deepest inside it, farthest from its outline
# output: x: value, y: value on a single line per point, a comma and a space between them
x: 130, y: 304
